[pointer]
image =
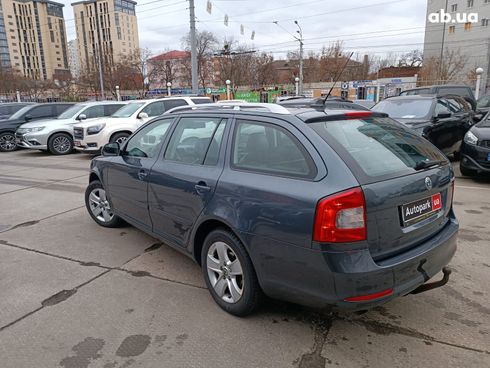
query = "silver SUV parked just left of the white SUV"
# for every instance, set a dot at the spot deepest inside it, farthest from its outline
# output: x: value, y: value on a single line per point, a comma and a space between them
x: 56, y: 136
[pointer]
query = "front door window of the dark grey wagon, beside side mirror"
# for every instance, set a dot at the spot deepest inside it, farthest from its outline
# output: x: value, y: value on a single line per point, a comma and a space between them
x: 146, y: 142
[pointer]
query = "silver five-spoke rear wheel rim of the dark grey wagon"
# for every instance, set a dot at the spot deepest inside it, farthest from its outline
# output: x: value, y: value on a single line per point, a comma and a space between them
x: 225, y: 272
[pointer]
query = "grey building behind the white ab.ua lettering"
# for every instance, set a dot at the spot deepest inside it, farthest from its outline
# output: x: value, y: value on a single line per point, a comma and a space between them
x: 462, y: 26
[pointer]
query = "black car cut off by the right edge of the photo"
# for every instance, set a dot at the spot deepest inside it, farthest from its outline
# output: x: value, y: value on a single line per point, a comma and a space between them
x: 475, y: 151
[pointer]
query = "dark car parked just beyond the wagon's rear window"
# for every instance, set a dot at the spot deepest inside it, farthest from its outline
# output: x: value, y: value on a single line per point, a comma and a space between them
x: 442, y: 121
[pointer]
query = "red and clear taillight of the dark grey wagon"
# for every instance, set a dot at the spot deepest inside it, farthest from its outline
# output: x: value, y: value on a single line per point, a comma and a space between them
x: 341, y: 218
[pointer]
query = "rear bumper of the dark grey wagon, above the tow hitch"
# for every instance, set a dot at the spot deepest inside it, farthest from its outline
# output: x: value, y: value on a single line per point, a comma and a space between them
x: 325, y: 279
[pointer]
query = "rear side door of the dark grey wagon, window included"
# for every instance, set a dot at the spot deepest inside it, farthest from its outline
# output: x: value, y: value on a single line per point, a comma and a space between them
x: 183, y: 181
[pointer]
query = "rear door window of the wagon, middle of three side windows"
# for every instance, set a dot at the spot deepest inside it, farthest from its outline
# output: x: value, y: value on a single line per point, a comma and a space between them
x: 196, y: 141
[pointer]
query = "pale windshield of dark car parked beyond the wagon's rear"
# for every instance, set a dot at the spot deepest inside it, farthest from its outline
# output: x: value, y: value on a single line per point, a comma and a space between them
x: 405, y: 108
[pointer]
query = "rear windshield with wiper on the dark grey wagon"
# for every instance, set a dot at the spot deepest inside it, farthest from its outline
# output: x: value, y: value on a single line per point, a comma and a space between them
x: 377, y: 148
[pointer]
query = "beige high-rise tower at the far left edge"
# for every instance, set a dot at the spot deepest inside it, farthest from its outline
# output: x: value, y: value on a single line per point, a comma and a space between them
x: 33, y: 38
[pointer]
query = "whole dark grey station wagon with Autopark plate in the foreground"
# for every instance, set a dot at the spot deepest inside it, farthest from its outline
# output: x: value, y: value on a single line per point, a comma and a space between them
x: 343, y: 208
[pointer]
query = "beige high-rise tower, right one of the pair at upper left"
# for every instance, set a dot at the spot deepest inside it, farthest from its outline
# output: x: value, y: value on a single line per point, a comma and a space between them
x: 105, y: 27
